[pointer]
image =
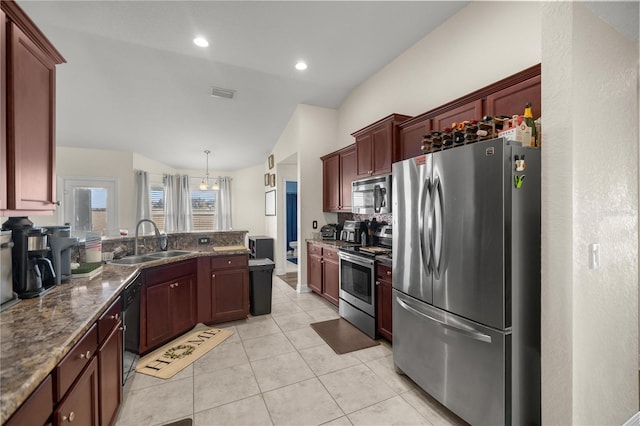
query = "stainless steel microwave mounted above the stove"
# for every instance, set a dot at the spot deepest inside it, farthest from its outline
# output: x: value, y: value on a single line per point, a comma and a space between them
x: 371, y: 195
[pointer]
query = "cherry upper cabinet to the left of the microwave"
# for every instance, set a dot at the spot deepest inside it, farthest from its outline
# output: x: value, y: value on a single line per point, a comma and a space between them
x: 338, y: 171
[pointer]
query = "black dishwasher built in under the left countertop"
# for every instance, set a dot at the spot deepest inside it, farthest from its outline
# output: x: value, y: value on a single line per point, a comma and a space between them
x: 130, y: 300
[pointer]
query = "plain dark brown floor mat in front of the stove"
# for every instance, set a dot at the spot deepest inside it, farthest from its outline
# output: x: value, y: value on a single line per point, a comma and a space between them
x: 342, y: 336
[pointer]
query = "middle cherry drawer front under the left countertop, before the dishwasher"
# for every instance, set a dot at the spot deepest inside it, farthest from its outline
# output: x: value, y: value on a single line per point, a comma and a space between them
x: 71, y: 365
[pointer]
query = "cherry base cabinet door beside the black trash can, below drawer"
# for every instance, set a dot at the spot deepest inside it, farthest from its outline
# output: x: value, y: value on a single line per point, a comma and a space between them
x: 230, y: 294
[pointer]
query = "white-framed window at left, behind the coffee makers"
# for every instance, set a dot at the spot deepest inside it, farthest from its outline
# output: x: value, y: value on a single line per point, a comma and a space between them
x: 90, y: 204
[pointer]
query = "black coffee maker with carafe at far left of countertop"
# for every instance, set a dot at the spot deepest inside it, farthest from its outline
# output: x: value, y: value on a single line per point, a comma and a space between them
x: 32, y: 271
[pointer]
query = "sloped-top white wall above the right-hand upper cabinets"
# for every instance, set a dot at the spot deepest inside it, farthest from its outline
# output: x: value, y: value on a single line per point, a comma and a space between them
x: 462, y: 55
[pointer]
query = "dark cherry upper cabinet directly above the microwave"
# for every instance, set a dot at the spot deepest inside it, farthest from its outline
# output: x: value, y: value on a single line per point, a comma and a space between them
x: 376, y: 145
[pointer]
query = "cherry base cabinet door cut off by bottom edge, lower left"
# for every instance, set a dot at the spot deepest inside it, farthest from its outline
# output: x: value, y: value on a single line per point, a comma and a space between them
x: 80, y: 405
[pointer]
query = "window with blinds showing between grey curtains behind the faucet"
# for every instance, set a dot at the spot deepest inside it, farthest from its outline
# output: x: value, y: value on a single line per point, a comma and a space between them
x: 203, y: 206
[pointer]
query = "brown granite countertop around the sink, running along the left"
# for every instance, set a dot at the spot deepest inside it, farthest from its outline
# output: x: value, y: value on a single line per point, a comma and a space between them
x: 36, y: 334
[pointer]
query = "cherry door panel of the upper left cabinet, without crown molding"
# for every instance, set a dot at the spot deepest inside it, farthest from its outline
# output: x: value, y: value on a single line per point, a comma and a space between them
x: 30, y: 126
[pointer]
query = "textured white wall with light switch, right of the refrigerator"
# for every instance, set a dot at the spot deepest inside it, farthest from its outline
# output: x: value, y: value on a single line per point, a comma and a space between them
x: 590, y: 187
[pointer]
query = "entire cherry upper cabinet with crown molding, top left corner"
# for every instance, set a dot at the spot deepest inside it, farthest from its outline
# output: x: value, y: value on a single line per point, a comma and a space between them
x: 28, y: 80
